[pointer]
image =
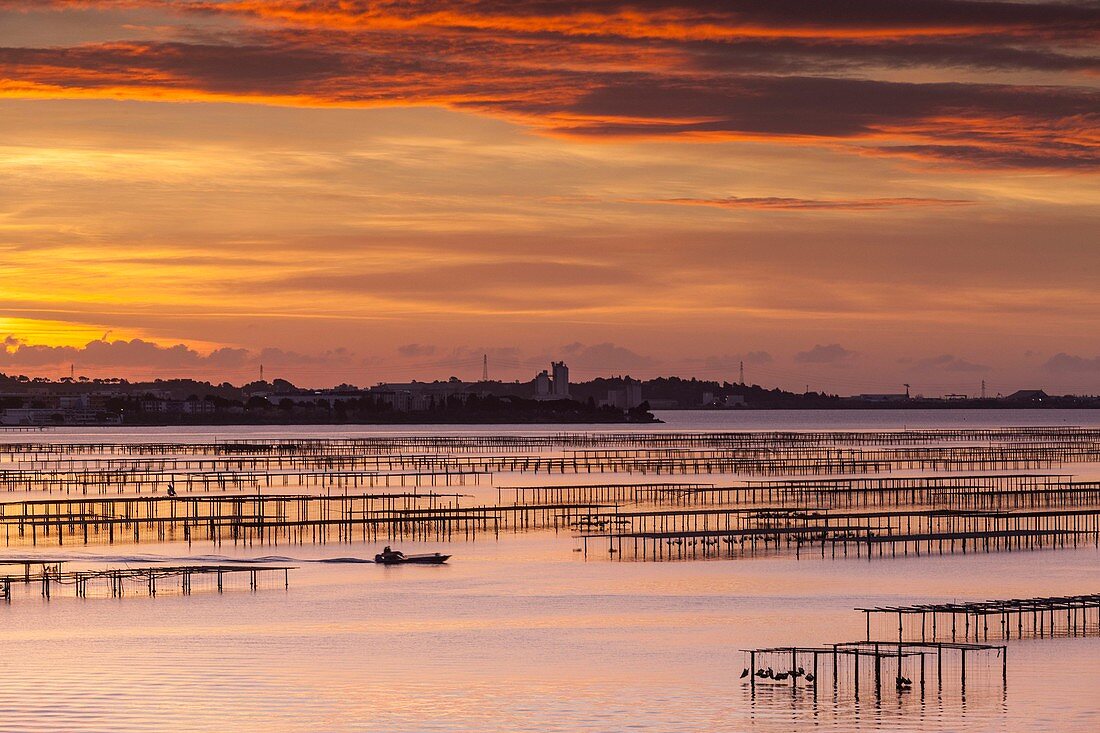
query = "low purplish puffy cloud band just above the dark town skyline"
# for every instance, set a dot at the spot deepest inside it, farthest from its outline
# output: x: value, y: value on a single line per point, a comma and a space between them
x: 830, y: 369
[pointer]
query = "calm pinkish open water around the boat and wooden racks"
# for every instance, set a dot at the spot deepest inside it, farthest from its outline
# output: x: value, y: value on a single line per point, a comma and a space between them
x: 522, y: 634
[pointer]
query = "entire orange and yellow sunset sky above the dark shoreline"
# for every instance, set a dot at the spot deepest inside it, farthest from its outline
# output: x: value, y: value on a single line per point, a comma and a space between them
x: 844, y: 195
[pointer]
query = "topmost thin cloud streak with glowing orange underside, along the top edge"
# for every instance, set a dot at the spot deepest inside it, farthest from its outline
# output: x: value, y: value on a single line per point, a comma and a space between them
x: 685, y: 21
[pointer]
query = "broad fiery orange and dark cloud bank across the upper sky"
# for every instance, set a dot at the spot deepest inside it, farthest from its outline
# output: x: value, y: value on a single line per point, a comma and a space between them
x: 794, y: 72
